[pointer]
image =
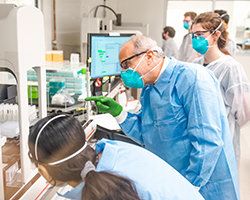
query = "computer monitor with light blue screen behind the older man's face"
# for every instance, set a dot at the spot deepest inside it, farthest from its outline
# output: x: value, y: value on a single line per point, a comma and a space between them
x: 103, y: 49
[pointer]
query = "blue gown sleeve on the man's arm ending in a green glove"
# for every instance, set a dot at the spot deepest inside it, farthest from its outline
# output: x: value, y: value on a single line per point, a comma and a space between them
x: 132, y: 127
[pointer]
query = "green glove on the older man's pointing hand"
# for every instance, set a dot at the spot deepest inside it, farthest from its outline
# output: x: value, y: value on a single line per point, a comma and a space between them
x: 106, y: 105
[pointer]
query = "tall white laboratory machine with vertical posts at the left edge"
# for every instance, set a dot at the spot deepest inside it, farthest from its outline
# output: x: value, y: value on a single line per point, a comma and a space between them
x: 23, y: 48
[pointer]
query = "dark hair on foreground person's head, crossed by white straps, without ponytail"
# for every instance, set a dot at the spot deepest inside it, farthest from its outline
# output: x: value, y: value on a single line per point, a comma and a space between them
x: 59, y: 139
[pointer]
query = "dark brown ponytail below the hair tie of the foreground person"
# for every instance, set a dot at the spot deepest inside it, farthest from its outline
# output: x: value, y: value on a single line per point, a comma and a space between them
x: 107, y: 186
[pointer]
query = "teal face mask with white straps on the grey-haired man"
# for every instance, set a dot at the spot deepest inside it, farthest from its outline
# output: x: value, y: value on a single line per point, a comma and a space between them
x: 132, y: 78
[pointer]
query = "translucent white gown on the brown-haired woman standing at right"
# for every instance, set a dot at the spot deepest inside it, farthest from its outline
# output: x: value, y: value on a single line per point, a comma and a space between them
x: 235, y: 91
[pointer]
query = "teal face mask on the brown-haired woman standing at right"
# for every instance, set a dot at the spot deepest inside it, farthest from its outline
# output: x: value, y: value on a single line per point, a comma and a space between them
x: 200, y: 44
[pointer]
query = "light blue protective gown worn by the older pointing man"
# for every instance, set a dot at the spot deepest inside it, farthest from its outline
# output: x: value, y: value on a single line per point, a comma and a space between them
x: 183, y: 121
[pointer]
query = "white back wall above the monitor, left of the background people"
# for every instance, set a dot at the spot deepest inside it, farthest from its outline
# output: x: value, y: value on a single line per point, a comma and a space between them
x: 69, y: 14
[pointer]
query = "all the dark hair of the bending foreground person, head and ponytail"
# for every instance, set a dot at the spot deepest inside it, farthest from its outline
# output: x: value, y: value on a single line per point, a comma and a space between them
x: 61, y: 138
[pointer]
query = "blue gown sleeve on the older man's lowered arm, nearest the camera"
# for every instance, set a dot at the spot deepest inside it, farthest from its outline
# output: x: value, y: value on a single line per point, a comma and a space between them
x: 202, y: 104
